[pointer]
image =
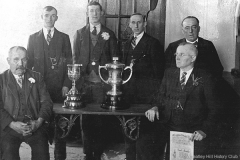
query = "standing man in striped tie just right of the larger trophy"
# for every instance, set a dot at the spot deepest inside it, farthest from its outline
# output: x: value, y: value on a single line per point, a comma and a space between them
x: 147, y: 56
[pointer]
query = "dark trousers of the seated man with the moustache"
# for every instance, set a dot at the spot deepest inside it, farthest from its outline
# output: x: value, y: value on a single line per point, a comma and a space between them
x: 38, y: 141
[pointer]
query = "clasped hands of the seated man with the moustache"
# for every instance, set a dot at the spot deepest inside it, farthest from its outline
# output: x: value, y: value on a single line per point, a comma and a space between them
x: 21, y: 128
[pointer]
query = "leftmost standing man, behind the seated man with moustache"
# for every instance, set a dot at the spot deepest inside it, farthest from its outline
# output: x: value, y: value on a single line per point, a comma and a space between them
x: 49, y: 52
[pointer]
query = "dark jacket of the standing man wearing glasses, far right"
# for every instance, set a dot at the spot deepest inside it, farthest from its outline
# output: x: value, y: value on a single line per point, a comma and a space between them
x: 207, y: 58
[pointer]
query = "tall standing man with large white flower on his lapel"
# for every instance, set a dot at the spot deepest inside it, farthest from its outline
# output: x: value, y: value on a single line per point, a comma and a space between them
x: 93, y: 45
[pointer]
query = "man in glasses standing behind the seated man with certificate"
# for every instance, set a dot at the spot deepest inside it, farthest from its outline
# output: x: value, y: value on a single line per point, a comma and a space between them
x: 207, y: 55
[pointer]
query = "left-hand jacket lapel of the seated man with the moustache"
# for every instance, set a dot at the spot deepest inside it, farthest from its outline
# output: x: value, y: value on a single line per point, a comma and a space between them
x: 12, y: 85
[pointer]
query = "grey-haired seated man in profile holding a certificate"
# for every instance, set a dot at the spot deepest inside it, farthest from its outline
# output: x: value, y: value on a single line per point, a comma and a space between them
x: 186, y: 102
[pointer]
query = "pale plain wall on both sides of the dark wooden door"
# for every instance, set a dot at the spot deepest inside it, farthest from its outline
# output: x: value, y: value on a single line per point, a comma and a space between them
x: 218, y: 21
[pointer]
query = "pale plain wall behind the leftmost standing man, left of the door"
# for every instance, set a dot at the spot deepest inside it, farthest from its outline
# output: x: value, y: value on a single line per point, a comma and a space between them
x: 20, y: 18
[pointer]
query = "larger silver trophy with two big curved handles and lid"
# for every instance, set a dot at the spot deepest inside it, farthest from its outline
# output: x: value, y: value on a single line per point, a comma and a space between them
x: 114, y: 100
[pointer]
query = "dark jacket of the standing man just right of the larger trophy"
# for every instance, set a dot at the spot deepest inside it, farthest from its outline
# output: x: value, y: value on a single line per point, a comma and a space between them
x: 148, y: 68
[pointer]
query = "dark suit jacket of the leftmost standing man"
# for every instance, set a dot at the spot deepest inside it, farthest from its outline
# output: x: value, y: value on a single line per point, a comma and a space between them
x: 62, y: 48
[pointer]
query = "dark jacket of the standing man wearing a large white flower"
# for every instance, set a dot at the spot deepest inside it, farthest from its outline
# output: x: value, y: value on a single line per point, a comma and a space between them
x: 107, y: 48
